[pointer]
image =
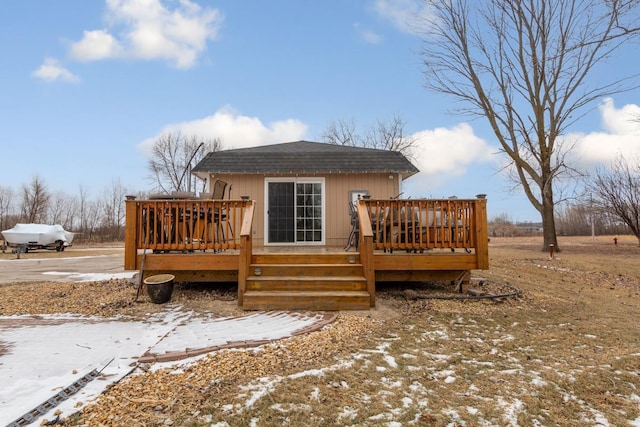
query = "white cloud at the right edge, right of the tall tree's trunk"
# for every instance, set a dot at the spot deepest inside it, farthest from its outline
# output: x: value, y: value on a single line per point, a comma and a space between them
x: 620, y: 136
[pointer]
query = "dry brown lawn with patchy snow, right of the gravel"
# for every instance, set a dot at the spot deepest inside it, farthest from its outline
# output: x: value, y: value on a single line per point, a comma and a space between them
x: 565, y: 354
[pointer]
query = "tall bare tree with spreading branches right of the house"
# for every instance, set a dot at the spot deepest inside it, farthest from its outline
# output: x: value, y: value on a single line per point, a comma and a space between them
x: 524, y: 65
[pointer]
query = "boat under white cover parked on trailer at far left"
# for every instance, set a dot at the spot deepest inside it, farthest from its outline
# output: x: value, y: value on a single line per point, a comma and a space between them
x: 26, y: 237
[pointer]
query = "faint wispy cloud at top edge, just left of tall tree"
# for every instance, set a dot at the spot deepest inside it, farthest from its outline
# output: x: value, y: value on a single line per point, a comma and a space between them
x: 405, y: 15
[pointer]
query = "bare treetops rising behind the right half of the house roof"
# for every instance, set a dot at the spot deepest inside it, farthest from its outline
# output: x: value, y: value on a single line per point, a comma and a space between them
x: 385, y: 135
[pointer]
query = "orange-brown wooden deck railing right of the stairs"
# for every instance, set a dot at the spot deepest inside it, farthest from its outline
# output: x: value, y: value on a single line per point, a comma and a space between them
x: 424, y: 224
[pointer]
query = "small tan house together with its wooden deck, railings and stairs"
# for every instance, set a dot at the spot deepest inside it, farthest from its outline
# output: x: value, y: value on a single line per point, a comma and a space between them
x: 306, y: 225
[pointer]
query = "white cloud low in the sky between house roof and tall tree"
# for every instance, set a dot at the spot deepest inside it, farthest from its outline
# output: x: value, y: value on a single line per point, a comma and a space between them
x: 444, y: 153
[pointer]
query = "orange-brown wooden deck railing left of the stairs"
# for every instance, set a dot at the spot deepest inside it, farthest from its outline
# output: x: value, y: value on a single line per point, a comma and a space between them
x: 183, y: 225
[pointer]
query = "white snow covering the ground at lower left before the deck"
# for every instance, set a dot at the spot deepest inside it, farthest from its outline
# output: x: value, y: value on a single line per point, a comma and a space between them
x: 42, y: 355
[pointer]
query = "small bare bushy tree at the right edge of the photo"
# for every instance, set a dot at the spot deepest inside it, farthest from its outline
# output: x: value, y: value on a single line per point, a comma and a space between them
x: 616, y: 190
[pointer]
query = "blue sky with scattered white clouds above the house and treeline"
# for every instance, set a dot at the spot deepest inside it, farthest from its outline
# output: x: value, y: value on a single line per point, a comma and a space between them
x: 87, y: 85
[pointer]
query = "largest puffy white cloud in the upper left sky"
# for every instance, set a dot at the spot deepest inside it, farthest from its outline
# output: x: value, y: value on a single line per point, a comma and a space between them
x: 147, y: 29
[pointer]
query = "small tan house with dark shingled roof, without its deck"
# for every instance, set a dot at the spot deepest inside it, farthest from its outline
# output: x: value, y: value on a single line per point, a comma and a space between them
x: 303, y: 189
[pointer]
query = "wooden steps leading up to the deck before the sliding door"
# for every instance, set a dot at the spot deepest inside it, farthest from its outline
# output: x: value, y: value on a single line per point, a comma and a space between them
x: 299, y: 281
